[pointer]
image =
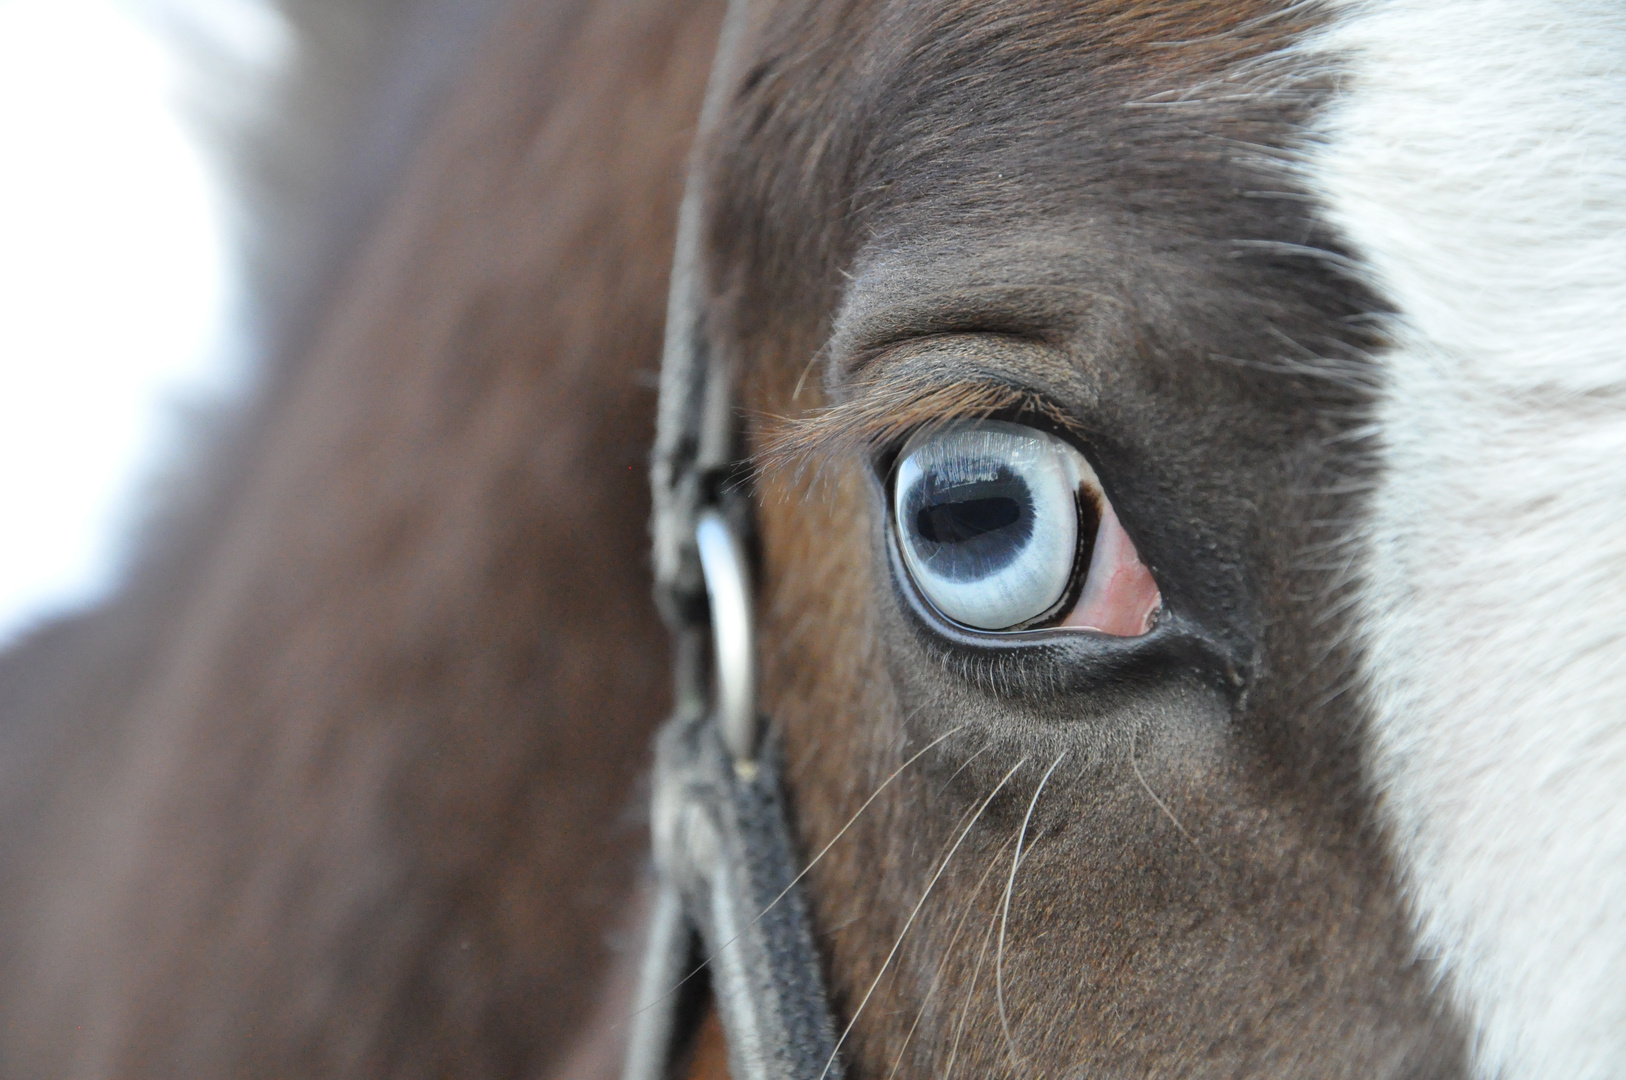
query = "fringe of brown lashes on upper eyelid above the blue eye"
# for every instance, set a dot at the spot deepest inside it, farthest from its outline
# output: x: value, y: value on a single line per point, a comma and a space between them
x: 890, y: 406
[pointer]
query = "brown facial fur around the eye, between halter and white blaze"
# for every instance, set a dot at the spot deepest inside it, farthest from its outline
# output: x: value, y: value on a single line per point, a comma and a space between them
x: 1058, y: 201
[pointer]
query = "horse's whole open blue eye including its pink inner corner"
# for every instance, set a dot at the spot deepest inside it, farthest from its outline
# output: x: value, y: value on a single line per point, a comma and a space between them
x: 1002, y: 526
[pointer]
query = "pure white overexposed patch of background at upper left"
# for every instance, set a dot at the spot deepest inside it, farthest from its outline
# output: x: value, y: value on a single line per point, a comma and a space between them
x: 120, y: 282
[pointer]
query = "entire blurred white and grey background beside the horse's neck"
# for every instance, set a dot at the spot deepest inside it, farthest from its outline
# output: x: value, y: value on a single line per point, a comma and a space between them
x: 181, y: 186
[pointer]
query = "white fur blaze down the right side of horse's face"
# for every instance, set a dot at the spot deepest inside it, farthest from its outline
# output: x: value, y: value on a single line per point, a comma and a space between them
x: 1476, y: 159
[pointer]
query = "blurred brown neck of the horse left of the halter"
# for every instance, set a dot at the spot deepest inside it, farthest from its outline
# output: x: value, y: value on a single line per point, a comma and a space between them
x: 362, y: 801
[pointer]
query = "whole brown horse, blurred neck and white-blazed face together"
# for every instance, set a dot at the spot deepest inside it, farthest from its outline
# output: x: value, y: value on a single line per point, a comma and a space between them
x: 1167, y: 451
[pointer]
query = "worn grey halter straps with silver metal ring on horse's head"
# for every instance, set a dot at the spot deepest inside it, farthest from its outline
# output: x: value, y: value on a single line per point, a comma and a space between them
x: 724, y: 855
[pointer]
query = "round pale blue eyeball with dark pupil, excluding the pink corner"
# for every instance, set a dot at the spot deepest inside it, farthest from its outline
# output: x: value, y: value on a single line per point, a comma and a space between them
x: 1004, y: 578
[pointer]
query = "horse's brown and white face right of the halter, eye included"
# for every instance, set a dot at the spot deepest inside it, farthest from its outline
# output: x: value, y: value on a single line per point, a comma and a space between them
x: 1137, y: 591
